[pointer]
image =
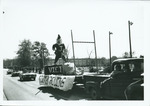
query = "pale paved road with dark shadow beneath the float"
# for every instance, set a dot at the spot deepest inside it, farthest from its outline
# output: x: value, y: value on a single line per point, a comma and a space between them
x: 14, y: 89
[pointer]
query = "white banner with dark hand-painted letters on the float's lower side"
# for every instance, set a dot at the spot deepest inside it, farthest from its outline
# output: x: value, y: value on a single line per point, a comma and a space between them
x: 64, y: 83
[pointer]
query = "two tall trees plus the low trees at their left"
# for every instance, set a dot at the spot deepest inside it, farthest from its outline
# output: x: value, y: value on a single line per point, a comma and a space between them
x: 29, y: 55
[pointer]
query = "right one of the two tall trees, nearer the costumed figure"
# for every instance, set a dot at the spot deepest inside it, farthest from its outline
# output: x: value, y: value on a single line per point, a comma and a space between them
x: 40, y: 53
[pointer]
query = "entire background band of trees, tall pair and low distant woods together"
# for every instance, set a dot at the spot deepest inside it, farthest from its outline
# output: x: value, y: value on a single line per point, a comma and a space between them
x: 36, y: 55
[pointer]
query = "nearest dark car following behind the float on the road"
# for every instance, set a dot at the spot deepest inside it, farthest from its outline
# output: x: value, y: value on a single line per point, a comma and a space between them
x: 27, y: 76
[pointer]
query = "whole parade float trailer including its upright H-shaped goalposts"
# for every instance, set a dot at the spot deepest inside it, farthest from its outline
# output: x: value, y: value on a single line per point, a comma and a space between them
x: 66, y: 75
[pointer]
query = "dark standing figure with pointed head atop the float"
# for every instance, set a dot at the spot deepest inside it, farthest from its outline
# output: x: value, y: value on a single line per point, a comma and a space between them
x: 59, y: 49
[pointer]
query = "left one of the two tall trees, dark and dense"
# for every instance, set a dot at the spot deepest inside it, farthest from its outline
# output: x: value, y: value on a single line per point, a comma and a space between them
x: 24, y: 53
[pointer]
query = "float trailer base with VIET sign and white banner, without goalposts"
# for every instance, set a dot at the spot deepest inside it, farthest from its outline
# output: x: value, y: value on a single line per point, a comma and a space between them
x: 57, y: 77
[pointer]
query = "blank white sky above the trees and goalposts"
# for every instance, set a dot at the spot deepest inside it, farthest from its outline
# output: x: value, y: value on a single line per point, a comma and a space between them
x: 43, y: 20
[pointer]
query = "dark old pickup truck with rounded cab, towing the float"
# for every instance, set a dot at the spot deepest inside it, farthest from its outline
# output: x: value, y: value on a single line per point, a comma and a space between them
x: 108, y: 87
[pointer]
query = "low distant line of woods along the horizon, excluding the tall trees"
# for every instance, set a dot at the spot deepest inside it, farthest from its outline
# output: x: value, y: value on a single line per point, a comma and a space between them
x: 79, y: 62
